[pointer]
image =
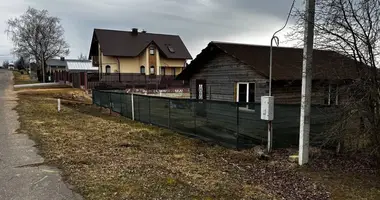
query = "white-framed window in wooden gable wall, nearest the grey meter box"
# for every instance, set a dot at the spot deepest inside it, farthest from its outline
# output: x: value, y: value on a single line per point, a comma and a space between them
x: 245, y: 95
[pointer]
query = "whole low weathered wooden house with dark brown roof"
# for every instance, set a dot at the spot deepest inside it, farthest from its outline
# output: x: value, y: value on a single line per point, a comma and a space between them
x: 240, y: 72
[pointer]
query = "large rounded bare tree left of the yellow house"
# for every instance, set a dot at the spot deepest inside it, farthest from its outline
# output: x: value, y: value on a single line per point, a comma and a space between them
x: 38, y: 34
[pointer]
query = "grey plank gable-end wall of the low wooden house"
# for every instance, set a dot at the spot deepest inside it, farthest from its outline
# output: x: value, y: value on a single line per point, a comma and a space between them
x: 222, y: 73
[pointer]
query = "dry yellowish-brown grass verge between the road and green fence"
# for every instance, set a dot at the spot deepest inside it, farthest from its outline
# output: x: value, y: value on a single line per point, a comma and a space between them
x: 105, y: 156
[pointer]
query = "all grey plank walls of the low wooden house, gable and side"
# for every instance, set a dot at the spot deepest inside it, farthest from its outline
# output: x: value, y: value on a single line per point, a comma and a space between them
x: 223, y: 71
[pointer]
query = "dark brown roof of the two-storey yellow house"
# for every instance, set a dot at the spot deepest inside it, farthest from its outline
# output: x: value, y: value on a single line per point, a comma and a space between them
x: 126, y: 44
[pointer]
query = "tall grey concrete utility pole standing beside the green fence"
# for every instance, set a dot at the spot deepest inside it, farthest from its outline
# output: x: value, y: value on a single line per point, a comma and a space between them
x: 303, y: 156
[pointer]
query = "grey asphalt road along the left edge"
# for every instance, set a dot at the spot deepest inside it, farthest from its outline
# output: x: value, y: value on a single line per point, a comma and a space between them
x: 23, y: 176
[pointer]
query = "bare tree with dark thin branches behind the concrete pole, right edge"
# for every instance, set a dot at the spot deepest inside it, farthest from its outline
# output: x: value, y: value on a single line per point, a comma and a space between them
x: 352, y: 28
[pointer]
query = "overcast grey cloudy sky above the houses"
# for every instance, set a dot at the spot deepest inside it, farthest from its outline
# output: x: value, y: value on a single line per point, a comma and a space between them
x: 197, y: 22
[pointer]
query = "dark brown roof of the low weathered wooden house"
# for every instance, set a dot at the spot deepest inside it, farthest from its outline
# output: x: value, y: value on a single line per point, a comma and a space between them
x: 287, y: 62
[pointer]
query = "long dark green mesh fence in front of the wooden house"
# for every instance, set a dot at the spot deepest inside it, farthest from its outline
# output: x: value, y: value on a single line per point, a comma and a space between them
x: 229, y: 124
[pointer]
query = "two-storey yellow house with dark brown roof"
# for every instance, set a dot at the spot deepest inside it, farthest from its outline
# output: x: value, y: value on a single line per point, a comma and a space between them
x: 138, y: 52
